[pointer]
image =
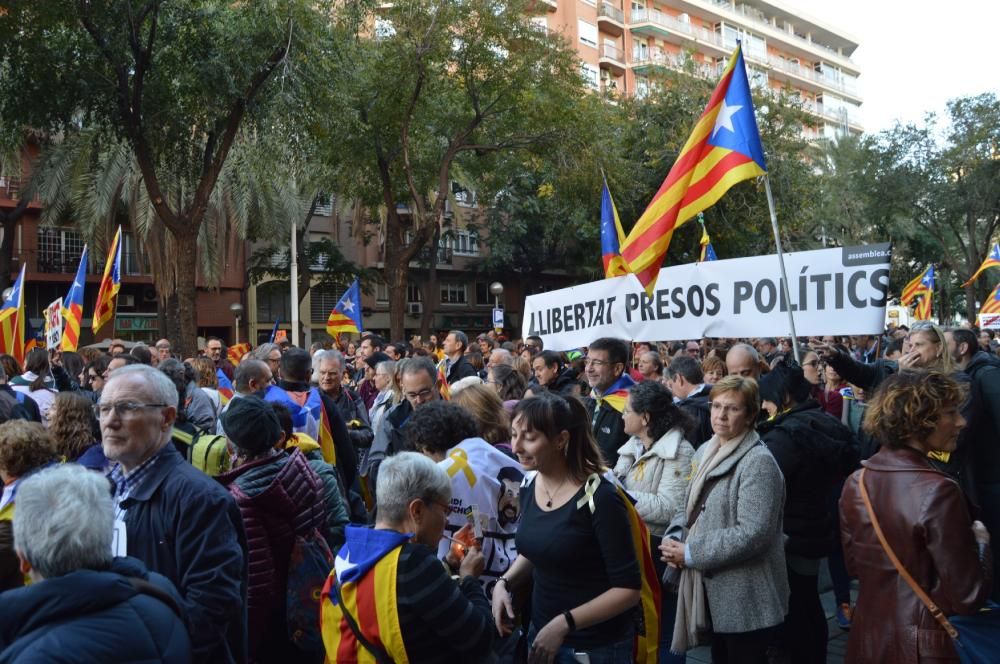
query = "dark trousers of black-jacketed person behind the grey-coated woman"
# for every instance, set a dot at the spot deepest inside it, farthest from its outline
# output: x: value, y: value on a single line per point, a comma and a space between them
x: 802, y: 637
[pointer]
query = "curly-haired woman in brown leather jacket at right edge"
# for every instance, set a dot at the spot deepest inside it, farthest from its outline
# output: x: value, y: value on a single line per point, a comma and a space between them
x: 925, y: 519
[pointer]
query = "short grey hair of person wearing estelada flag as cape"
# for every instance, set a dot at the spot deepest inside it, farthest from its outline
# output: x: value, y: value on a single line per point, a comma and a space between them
x: 405, y: 477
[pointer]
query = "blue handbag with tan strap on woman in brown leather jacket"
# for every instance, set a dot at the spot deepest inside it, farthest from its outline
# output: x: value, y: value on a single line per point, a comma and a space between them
x: 979, y: 639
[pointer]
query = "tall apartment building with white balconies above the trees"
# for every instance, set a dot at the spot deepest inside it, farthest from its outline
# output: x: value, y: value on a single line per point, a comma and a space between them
x: 622, y: 43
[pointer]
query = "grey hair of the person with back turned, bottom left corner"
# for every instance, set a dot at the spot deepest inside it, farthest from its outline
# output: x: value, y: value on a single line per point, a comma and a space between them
x: 64, y: 520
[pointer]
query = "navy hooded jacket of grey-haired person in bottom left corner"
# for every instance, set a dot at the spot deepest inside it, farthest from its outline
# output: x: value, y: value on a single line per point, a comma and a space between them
x: 93, y: 616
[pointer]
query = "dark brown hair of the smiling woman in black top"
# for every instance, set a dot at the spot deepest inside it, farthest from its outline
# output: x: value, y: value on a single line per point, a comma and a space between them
x: 550, y: 415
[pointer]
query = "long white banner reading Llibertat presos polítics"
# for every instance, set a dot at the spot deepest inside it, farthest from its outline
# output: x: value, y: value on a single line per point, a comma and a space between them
x: 833, y: 291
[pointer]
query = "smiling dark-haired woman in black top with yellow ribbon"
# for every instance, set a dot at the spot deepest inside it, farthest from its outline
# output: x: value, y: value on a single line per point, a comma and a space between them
x: 573, y: 541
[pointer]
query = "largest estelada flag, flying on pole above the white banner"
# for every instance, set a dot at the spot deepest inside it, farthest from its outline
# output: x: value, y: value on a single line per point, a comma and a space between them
x: 723, y: 149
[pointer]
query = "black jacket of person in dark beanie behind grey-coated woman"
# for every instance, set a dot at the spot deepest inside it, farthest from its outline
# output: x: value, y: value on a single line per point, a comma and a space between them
x: 813, y: 450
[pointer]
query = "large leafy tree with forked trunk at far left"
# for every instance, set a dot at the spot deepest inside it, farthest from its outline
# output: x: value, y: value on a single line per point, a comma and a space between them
x: 176, y: 83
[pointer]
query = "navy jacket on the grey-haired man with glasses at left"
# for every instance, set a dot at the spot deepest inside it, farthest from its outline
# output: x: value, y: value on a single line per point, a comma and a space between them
x: 184, y: 525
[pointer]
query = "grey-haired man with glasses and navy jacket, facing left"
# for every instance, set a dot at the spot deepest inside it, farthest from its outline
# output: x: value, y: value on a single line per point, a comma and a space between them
x: 178, y: 521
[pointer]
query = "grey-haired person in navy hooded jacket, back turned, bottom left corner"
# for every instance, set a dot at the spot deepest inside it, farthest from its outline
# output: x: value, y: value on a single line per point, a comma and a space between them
x: 83, y: 604
